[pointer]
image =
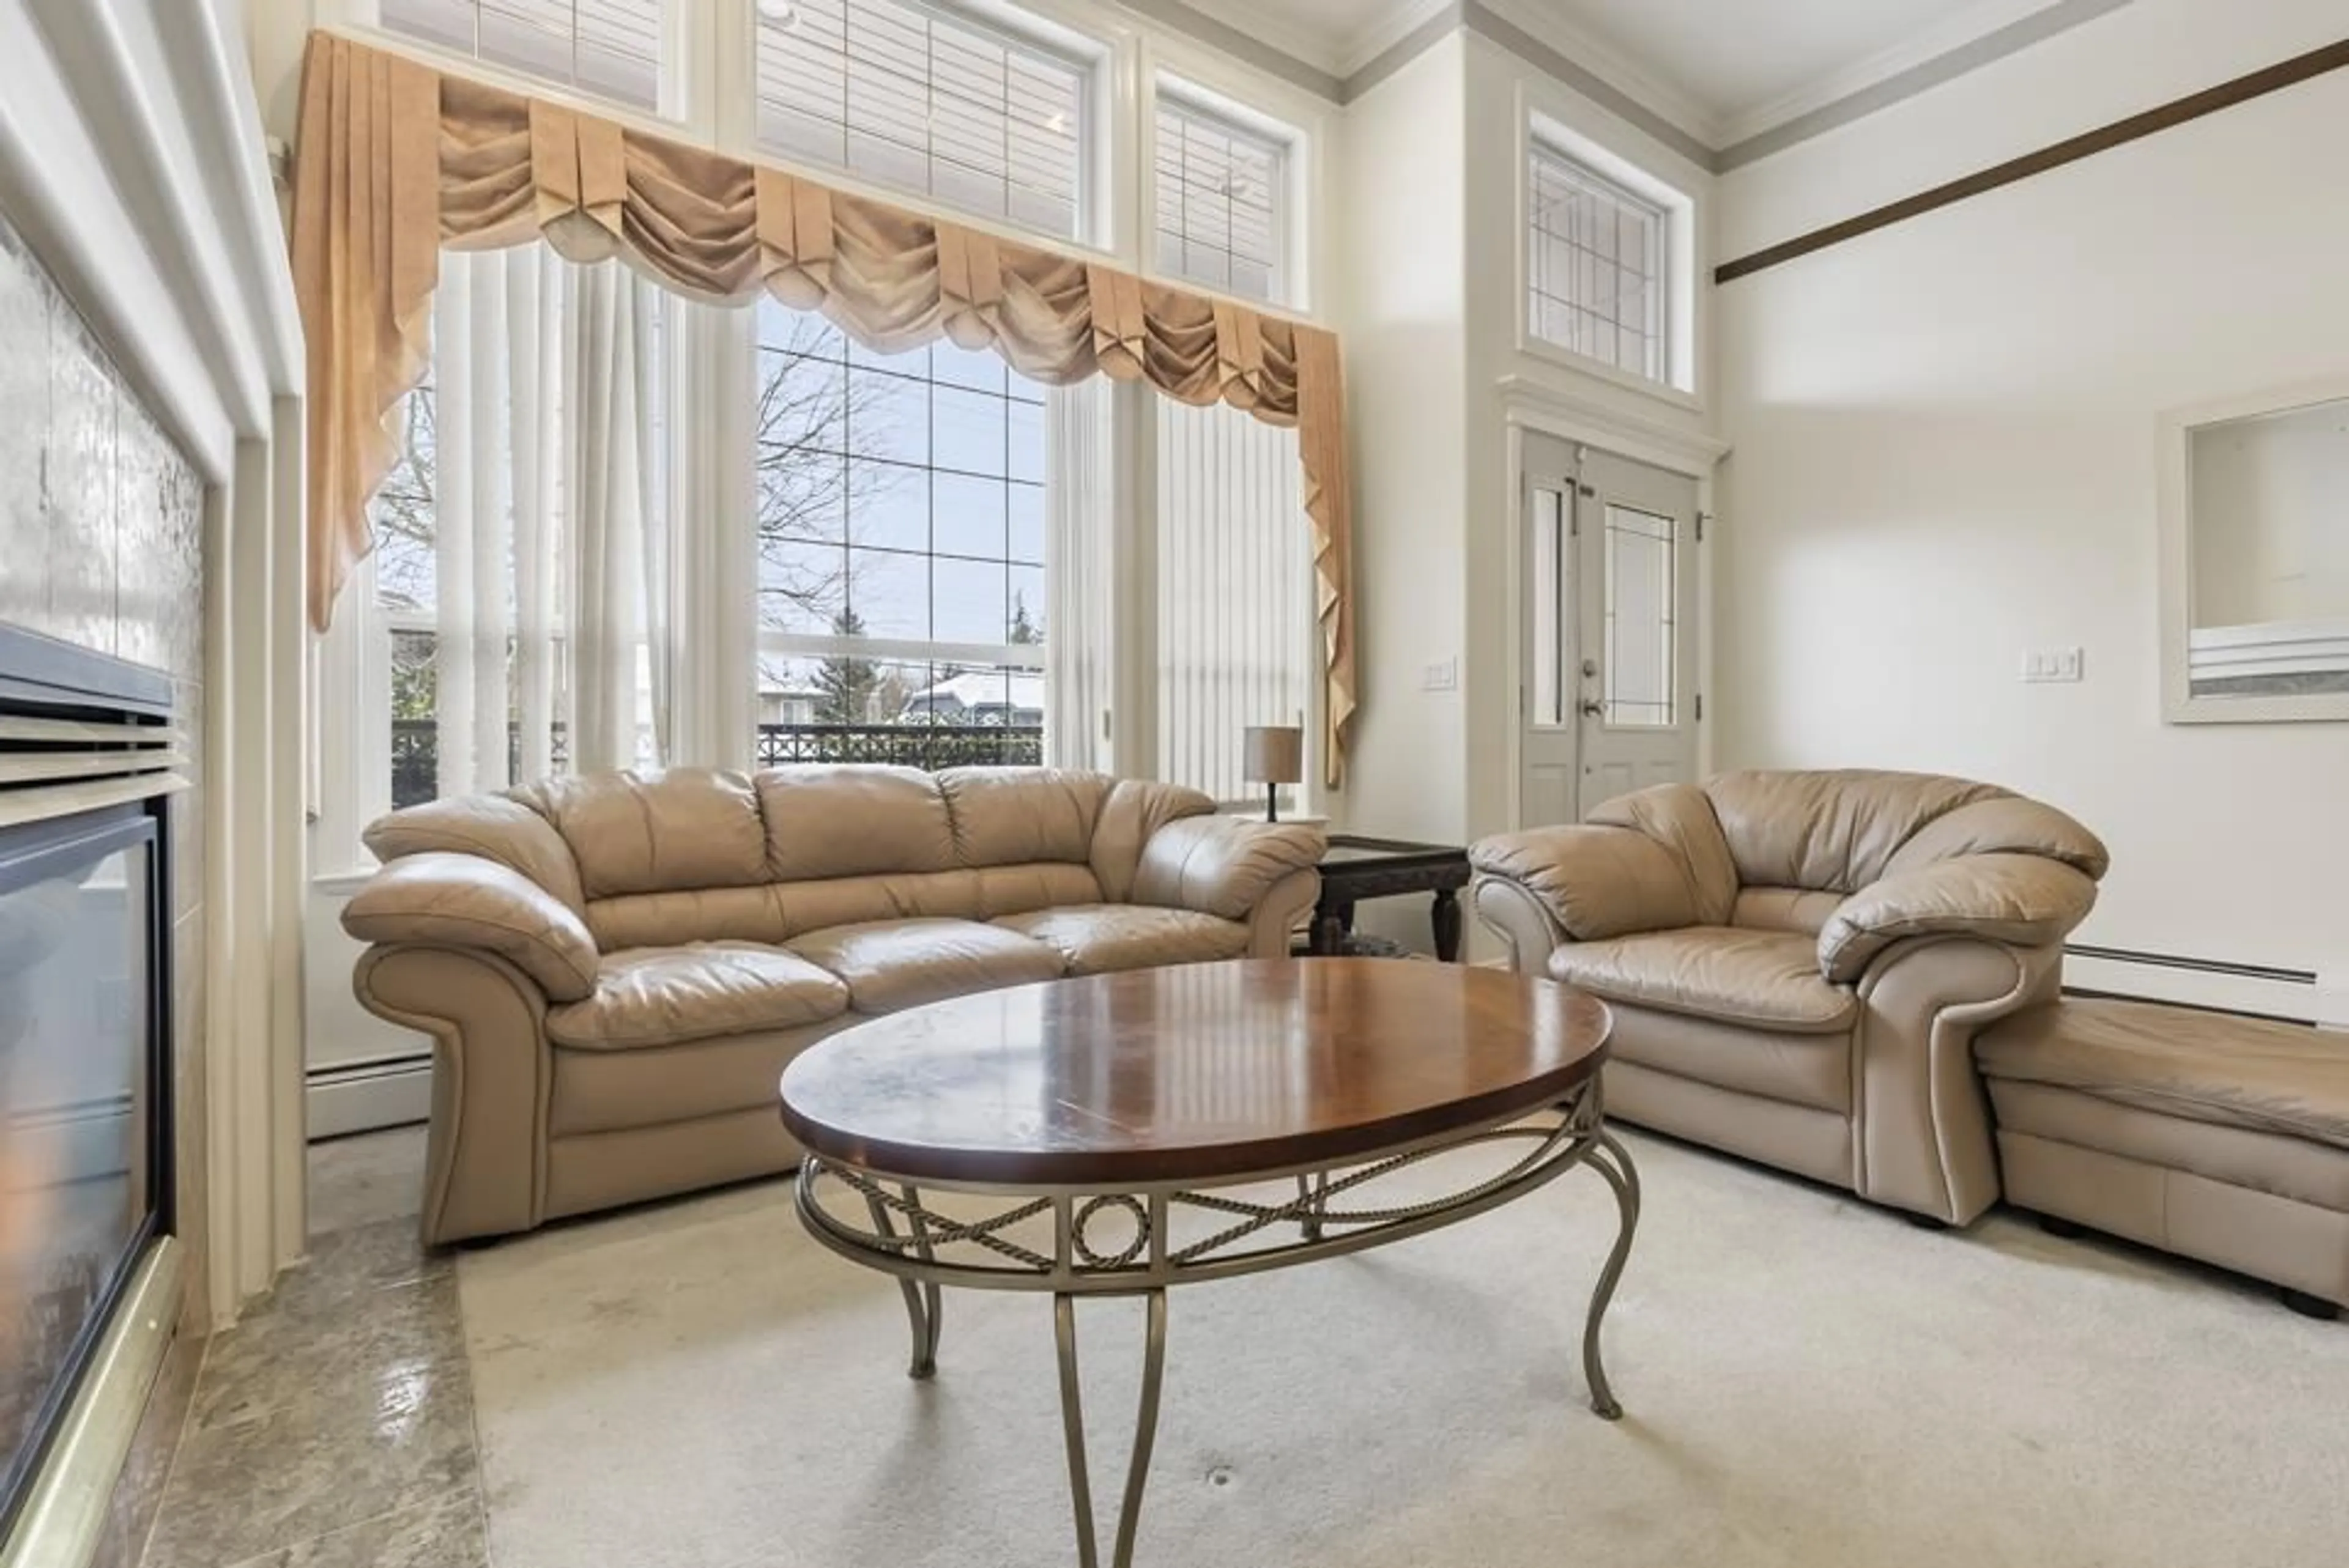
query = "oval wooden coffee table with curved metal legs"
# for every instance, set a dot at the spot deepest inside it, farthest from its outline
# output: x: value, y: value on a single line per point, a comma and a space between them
x: 1101, y: 1137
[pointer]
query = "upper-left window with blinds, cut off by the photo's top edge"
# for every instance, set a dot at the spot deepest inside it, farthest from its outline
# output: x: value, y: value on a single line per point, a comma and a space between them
x: 605, y: 48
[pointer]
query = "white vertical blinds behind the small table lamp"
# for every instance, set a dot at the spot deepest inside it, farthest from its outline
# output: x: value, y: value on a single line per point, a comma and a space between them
x: 1234, y: 593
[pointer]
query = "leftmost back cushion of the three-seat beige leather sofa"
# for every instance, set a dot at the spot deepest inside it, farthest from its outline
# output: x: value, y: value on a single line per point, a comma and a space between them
x: 657, y: 832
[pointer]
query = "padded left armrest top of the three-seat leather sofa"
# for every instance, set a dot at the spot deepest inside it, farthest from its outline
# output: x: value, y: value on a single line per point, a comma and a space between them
x: 443, y: 900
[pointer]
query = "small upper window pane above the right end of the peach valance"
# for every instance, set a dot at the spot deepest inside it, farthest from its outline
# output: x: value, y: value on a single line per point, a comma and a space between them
x: 1220, y: 201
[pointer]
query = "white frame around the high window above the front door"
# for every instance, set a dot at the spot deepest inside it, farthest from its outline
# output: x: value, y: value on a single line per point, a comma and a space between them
x: 1547, y: 135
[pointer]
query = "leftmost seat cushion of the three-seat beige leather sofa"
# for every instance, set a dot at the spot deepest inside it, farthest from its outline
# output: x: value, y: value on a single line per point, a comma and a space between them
x: 666, y: 996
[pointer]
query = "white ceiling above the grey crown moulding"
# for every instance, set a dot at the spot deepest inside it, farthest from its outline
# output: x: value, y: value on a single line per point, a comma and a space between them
x: 1725, y: 69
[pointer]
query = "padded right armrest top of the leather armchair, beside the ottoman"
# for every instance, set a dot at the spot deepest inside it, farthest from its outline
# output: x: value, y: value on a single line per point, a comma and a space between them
x: 2021, y: 900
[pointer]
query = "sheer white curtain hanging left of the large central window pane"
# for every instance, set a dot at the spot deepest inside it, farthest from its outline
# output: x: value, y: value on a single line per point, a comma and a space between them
x: 553, y: 534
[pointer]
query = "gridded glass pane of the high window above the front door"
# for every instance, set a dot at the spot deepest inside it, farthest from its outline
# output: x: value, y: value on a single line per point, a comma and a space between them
x: 1596, y: 269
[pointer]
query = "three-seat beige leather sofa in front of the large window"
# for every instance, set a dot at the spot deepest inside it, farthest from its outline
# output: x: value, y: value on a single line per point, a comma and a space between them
x: 617, y: 968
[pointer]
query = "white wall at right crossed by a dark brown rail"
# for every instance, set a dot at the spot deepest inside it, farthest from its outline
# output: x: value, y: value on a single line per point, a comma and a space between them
x: 1946, y: 454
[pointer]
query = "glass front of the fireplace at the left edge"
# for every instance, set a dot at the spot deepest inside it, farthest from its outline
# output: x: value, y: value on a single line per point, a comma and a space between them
x: 81, y: 1184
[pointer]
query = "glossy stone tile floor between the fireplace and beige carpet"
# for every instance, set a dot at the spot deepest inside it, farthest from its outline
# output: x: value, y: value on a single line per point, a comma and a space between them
x: 335, y: 1428
